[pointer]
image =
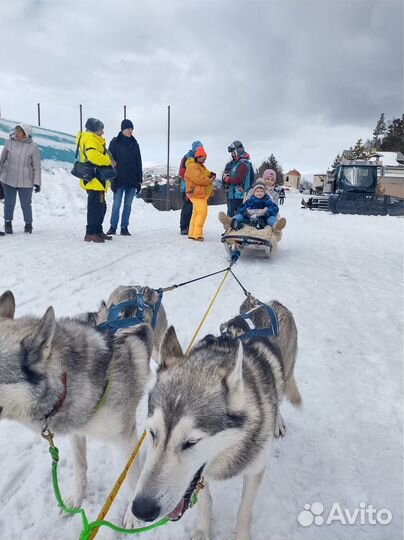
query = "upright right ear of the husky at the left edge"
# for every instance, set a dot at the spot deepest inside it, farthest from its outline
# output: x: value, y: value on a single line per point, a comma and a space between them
x: 38, y: 345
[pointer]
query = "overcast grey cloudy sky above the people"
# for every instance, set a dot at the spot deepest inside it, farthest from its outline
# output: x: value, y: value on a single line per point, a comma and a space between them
x: 302, y: 79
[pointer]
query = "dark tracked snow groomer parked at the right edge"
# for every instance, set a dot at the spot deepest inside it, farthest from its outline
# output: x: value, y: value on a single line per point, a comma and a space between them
x: 352, y: 189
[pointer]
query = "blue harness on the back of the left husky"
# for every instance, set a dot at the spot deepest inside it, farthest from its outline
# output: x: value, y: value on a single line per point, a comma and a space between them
x: 137, y: 305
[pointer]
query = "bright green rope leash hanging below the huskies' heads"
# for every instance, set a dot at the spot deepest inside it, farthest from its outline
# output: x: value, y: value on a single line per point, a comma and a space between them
x: 88, y: 527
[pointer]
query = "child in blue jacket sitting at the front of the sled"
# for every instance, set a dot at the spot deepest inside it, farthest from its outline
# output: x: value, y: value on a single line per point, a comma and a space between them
x: 258, y: 211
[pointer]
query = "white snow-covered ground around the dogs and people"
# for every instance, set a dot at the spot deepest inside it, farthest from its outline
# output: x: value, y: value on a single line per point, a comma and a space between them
x: 342, y: 278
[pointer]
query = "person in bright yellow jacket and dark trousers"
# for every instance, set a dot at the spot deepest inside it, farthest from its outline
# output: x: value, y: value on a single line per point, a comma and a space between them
x: 92, y: 148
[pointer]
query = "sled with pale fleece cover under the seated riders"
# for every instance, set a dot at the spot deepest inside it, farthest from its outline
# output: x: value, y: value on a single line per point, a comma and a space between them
x: 248, y: 237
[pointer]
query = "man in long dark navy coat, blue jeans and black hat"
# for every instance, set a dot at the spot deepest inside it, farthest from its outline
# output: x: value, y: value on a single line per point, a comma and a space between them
x: 126, y: 153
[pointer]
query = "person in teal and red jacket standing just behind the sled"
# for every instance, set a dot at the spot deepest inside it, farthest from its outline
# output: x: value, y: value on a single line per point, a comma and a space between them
x: 238, y: 176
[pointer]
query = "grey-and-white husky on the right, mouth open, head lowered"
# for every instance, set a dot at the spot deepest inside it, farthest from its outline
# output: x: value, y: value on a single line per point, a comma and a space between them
x: 215, y: 413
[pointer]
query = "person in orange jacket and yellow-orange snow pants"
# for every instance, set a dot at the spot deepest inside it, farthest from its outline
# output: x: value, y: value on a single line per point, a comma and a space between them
x: 199, y: 188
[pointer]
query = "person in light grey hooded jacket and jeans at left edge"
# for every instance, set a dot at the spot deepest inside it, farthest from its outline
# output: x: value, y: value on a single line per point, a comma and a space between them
x: 20, y: 172
